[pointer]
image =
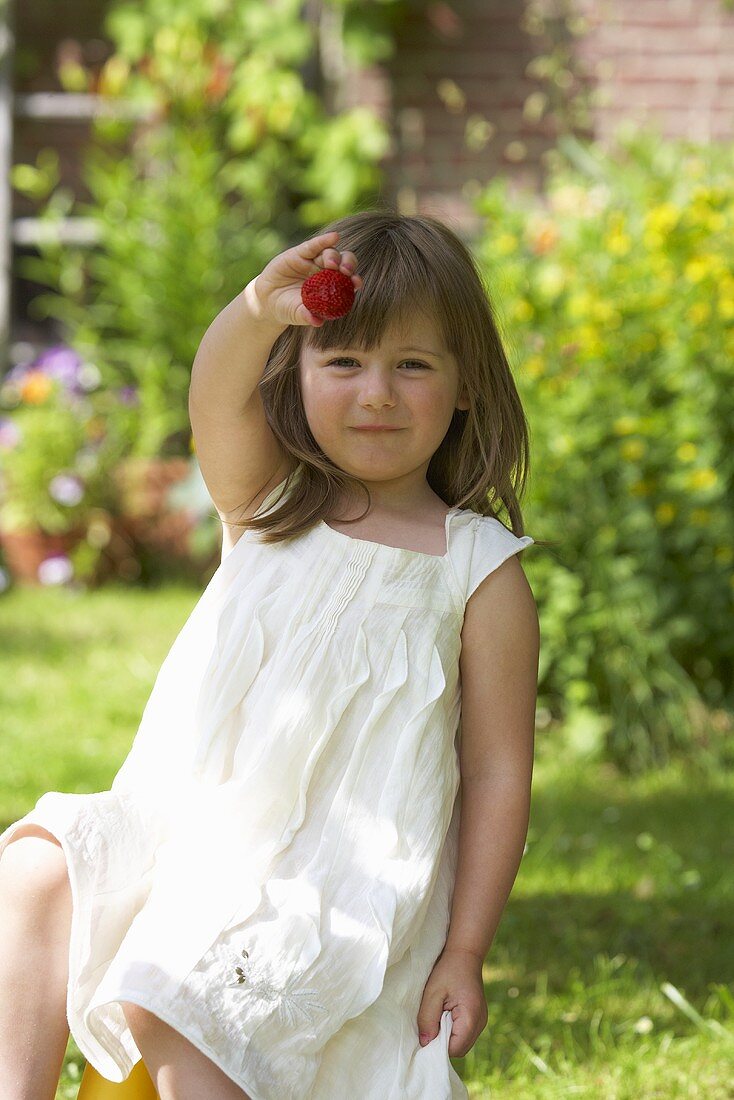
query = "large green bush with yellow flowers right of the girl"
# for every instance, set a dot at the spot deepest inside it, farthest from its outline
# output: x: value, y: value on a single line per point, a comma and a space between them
x: 618, y: 294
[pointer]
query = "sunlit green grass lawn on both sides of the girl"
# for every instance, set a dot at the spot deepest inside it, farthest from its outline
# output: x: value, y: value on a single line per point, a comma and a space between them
x: 608, y: 977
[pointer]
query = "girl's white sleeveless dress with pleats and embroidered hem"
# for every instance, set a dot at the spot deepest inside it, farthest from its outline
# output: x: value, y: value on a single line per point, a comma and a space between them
x: 272, y: 870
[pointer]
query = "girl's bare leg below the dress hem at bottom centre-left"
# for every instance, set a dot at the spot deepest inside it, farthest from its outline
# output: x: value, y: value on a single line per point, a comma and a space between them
x: 178, y: 1069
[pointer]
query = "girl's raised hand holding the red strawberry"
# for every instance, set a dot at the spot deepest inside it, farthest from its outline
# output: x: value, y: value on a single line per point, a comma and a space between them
x: 278, y: 288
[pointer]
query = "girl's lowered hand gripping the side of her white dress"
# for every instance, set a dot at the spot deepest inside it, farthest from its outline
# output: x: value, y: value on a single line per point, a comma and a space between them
x: 456, y: 984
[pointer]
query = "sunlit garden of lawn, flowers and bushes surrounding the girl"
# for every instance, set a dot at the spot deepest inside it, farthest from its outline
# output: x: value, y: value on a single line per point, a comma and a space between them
x: 615, y: 291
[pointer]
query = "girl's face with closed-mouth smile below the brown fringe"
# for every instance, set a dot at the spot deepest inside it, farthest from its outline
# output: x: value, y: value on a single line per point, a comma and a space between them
x: 410, y: 384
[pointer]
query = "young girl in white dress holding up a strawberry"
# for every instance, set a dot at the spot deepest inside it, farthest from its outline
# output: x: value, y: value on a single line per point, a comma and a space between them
x: 291, y: 888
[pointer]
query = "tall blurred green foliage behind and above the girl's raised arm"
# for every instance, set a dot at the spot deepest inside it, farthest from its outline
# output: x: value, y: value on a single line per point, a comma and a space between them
x: 232, y: 159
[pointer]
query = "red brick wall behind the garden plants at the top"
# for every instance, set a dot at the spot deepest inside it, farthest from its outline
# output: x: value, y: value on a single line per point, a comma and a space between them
x: 670, y: 62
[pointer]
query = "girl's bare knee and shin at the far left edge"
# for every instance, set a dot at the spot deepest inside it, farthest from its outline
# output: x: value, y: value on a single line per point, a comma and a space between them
x: 36, y: 919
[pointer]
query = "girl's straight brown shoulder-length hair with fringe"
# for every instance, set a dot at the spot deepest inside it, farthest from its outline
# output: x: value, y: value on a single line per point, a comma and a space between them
x: 409, y: 263
